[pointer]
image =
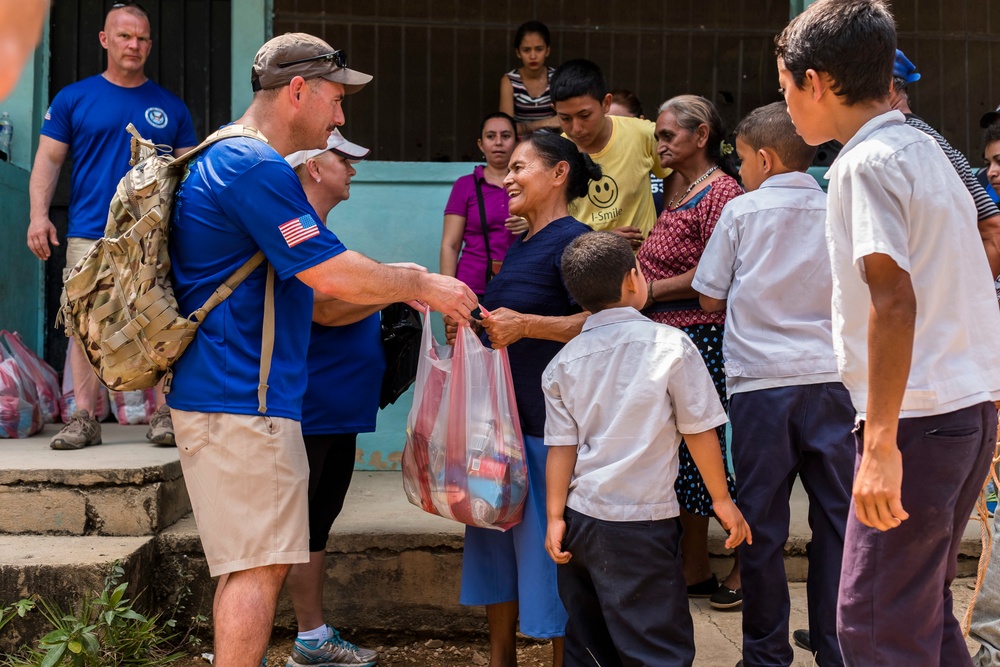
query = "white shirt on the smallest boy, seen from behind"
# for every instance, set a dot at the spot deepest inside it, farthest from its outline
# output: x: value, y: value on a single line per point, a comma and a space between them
x: 623, y: 391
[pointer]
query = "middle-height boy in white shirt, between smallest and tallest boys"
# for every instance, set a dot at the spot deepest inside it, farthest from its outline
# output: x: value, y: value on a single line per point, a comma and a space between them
x: 767, y: 265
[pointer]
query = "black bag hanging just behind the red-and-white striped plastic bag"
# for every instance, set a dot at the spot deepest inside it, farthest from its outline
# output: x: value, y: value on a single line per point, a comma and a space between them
x: 401, y: 332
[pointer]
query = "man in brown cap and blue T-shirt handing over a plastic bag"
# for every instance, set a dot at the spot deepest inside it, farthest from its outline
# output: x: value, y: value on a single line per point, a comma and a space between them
x: 245, y: 466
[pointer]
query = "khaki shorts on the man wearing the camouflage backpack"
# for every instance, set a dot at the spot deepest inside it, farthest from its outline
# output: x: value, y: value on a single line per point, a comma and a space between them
x: 247, y: 477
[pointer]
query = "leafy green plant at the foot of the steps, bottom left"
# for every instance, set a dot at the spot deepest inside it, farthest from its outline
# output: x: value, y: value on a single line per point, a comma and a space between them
x: 106, y: 632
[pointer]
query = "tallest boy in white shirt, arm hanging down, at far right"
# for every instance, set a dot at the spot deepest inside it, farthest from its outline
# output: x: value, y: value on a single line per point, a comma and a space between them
x: 915, y: 326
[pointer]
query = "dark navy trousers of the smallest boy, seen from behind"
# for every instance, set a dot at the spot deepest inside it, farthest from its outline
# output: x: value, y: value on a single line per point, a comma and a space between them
x: 625, y: 595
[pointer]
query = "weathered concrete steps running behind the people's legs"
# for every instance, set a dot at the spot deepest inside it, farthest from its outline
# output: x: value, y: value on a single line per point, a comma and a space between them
x: 66, y: 516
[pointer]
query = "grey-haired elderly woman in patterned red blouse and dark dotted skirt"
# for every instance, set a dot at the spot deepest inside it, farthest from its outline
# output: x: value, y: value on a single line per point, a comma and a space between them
x: 689, y: 136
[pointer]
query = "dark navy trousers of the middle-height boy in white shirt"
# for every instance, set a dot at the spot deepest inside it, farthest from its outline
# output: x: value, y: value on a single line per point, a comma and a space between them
x: 779, y: 433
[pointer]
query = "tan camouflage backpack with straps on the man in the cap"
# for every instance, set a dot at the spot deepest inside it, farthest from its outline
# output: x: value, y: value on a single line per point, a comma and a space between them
x: 119, y: 300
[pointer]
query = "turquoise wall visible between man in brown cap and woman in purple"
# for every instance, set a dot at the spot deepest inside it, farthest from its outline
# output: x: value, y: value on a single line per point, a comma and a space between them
x: 395, y: 214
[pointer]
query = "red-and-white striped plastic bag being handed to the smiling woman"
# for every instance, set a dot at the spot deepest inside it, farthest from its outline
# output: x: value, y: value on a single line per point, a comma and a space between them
x: 464, y: 455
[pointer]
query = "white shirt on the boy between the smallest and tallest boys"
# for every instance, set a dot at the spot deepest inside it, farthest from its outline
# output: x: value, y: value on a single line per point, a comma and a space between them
x: 768, y: 257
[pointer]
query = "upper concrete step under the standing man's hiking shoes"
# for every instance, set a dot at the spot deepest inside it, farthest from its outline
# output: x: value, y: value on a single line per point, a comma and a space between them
x: 124, y: 486
